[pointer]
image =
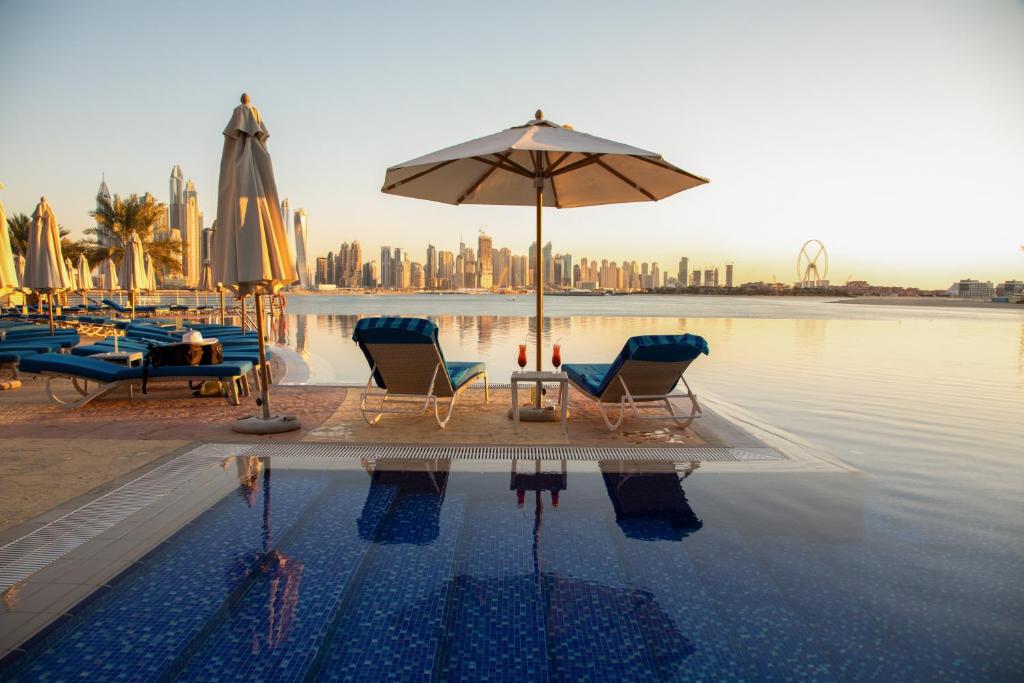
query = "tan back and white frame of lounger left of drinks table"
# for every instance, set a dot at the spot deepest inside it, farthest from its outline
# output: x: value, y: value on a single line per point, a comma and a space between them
x: 415, y: 376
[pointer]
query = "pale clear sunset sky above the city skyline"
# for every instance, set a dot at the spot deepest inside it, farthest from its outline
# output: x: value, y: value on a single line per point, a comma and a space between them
x: 891, y: 131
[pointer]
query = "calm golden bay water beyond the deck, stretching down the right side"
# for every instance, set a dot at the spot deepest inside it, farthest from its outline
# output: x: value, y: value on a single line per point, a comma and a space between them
x: 927, y: 403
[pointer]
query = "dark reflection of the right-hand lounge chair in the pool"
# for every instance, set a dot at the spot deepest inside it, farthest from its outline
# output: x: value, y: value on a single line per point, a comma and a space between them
x: 649, y: 499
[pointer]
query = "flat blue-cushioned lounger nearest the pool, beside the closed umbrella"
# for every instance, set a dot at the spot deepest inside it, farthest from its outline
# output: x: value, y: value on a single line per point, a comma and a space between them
x: 109, y: 376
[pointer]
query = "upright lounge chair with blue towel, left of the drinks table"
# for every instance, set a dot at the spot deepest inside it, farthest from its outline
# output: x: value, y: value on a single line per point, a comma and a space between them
x: 410, y: 370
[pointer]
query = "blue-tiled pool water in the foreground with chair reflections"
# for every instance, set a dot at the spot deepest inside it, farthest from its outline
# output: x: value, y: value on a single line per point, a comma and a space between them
x: 314, y: 570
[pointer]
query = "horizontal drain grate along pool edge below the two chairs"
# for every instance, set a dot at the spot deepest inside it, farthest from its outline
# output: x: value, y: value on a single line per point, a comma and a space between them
x: 578, y: 454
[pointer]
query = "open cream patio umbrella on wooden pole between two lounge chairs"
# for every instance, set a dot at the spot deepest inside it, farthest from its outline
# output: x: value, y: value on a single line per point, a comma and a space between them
x: 540, y: 164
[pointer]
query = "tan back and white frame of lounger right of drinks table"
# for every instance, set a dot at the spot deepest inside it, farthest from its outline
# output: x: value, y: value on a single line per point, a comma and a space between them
x: 644, y: 386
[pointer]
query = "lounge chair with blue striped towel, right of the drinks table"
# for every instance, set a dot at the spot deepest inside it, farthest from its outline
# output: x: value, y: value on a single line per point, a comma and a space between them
x: 645, y: 373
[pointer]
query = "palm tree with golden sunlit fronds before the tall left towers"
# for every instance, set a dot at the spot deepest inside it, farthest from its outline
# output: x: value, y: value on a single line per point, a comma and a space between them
x: 119, y: 219
